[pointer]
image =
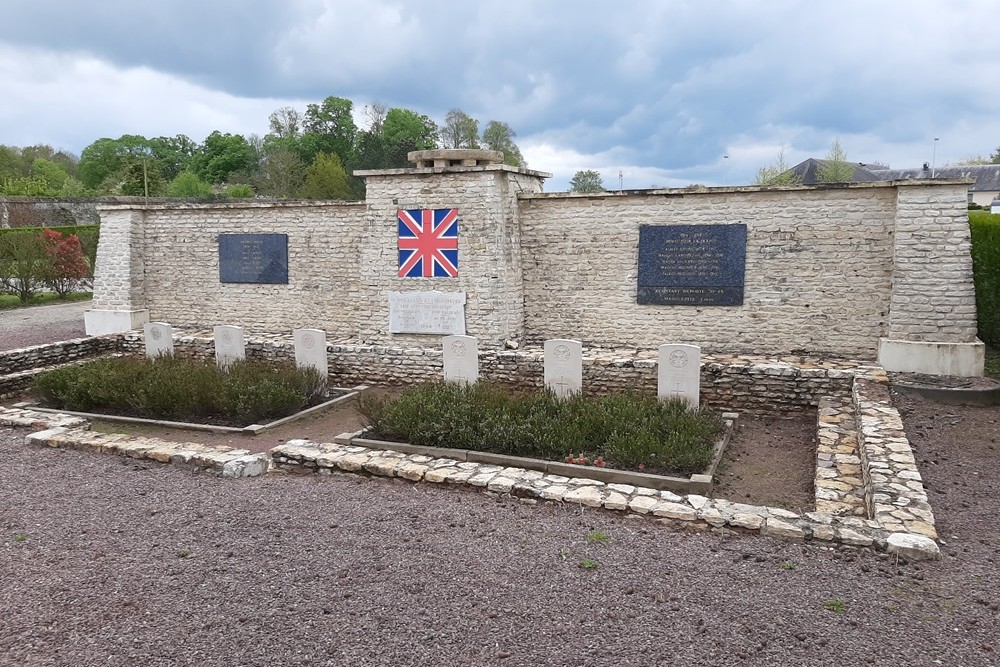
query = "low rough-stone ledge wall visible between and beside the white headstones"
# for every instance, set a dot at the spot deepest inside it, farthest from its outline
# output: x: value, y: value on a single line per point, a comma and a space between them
x: 757, y: 385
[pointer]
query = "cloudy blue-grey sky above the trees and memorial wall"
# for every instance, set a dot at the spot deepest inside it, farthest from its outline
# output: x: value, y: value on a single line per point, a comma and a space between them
x: 660, y: 91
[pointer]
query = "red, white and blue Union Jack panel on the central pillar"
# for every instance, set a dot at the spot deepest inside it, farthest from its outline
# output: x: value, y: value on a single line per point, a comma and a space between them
x: 428, y: 243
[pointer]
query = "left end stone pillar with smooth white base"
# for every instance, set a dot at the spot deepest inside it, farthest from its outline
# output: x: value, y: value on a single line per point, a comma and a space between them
x: 119, y: 290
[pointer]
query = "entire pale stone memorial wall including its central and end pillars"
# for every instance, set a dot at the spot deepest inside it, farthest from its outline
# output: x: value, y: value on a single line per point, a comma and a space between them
x: 874, y: 271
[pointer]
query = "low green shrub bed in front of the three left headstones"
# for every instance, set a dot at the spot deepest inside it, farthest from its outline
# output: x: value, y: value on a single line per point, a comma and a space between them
x: 181, y: 389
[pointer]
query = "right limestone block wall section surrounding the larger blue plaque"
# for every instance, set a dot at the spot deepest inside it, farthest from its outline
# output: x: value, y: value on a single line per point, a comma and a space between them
x: 819, y: 264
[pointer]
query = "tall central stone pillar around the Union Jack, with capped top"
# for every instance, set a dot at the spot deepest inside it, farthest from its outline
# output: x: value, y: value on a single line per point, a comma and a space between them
x: 484, y: 191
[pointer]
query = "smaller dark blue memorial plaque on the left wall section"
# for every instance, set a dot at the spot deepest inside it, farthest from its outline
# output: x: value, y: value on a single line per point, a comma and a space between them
x: 253, y: 258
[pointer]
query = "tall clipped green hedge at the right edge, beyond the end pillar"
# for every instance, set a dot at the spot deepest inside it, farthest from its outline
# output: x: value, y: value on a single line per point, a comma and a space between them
x: 985, y: 229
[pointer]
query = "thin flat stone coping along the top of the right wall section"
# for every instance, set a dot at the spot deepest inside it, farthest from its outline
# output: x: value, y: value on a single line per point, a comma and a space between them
x: 705, y: 190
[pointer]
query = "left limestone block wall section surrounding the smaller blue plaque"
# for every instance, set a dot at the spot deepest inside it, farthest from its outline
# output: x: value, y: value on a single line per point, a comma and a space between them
x: 179, y: 277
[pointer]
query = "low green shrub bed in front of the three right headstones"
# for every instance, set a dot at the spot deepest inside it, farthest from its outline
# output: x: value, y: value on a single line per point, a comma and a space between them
x: 626, y: 430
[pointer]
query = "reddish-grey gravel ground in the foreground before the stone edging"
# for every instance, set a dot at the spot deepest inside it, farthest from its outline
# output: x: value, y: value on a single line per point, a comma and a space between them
x: 107, y: 561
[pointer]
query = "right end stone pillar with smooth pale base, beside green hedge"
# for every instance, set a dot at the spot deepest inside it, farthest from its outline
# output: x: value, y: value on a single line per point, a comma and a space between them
x: 932, y: 308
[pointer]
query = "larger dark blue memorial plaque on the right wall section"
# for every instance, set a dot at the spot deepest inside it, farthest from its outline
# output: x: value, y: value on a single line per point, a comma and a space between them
x: 692, y: 265
